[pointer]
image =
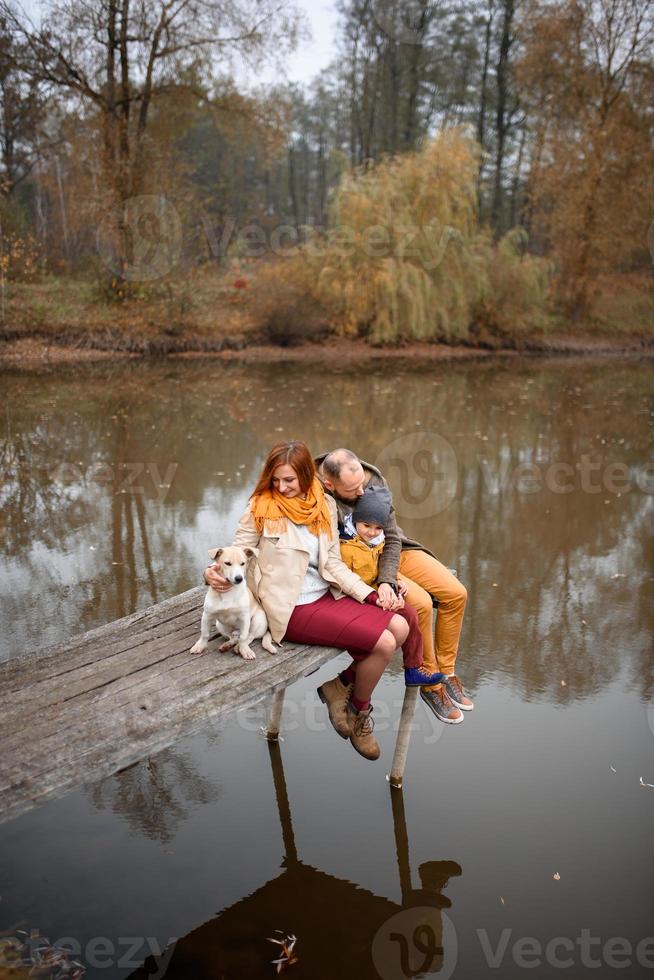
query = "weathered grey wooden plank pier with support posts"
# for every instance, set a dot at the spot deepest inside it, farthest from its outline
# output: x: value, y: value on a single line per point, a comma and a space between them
x: 79, y: 711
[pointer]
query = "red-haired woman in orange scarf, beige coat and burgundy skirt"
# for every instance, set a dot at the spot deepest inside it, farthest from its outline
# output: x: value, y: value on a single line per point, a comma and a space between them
x: 309, y: 595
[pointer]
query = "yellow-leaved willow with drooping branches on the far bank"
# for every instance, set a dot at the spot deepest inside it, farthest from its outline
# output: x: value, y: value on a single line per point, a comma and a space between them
x: 406, y: 260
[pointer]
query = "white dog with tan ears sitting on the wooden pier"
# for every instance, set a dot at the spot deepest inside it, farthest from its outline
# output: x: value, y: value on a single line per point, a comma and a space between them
x: 237, y: 613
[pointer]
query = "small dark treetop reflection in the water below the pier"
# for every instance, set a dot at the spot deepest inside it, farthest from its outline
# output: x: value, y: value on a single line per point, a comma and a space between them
x: 156, y: 795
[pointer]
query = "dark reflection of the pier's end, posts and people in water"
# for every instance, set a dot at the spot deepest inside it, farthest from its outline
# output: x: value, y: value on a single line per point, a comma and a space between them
x: 320, y: 910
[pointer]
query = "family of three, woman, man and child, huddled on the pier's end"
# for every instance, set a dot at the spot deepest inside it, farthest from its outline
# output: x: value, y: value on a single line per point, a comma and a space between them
x: 333, y: 568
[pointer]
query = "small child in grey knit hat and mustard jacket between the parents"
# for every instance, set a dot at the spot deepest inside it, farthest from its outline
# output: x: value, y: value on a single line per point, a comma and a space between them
x: 362, y: 542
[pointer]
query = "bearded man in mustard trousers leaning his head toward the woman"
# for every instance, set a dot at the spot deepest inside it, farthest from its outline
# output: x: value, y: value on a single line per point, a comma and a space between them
x: 345, y: 477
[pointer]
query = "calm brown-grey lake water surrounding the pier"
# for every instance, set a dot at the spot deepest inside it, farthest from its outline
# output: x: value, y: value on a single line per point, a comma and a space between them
x: 522, y: 840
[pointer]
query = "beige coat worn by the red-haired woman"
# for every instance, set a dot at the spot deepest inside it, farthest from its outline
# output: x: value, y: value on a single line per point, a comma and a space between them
x: 277, y: 575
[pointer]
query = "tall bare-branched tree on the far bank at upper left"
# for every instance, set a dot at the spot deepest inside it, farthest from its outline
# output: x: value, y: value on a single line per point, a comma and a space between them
x: 114, y: 58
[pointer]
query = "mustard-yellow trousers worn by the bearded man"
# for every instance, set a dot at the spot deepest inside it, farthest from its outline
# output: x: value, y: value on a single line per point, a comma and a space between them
x: 425, y: 577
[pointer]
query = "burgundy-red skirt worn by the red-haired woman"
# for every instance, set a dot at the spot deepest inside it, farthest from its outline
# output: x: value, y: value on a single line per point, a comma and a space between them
x: 343, y: 622
